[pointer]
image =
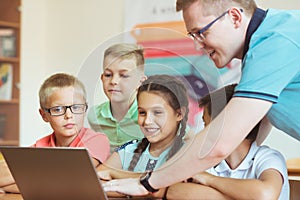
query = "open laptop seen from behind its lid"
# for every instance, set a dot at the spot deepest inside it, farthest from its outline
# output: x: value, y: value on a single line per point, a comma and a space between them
x: 54, y: 173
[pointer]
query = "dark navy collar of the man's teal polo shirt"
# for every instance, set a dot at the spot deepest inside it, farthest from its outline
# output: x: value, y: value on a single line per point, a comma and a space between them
x: 255, y: 21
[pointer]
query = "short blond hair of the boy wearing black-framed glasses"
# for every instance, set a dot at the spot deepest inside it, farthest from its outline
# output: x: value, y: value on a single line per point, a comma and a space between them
x: 57, y: 81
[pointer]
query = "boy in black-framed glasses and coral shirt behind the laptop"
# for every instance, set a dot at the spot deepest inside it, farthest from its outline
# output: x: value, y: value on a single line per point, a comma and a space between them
x: 63, y: 105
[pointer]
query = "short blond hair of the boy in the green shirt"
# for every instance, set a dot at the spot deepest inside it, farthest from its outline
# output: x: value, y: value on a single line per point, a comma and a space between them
x: 126, y: 51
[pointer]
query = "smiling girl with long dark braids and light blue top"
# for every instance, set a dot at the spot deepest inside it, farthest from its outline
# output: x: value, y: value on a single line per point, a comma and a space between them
x: 162, y: 117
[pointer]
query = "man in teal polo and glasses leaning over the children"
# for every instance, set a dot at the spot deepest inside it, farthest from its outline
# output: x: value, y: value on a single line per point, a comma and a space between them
x: 268, y: 43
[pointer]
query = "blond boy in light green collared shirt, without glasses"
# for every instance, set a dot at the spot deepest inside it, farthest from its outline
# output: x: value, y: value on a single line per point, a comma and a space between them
x: 123, y: 72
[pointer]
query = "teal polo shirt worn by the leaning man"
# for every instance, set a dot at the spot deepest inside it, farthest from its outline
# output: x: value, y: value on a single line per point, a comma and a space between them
x: 271, y: 69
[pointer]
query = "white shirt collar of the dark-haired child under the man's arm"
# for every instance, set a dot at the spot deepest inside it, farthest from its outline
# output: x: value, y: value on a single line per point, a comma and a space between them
x: 246, y: 163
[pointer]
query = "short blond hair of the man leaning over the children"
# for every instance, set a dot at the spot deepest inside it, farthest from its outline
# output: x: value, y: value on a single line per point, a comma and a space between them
x: 217, y: 7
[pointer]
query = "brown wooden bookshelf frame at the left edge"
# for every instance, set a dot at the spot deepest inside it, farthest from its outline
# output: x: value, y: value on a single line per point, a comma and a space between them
x: 10, y: 18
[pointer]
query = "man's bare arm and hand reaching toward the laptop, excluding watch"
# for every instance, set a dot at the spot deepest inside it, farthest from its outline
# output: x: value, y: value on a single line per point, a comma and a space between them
x: 208, y: 148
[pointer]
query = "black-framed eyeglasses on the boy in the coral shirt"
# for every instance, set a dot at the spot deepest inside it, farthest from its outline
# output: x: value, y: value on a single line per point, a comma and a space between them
x: 61, y: 110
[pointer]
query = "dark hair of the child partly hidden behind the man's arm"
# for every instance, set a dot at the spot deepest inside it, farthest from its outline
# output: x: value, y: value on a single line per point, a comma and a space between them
x: 219, y: 99
